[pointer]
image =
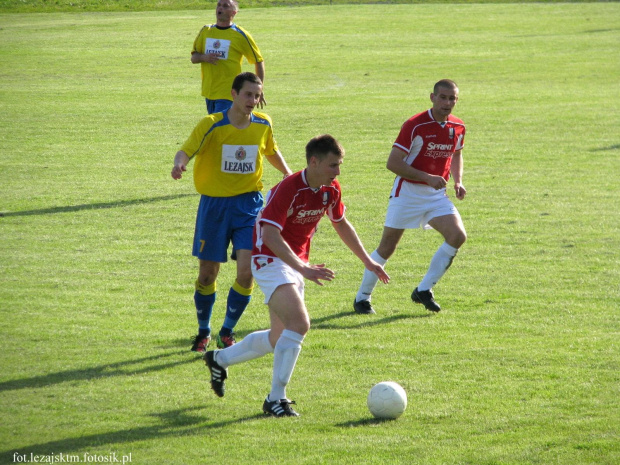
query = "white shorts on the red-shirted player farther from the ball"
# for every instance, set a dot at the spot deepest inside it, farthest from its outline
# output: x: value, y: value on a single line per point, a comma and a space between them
x: 416, y: 205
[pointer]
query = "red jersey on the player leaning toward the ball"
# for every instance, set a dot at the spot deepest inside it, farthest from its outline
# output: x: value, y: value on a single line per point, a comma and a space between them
x: 296, y: 209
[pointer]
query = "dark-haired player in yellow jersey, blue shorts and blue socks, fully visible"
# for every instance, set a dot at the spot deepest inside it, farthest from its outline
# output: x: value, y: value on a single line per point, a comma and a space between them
x: 228, y: 150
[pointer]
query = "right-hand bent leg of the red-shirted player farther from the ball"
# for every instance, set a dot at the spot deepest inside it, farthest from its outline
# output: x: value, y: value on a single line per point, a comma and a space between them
x: 452, y: 229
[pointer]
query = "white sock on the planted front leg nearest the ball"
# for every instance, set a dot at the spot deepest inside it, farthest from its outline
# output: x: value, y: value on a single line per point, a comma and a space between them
x: 284, y: 358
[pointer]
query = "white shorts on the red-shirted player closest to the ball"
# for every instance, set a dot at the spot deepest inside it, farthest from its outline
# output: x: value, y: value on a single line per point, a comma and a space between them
x: 271, y: 273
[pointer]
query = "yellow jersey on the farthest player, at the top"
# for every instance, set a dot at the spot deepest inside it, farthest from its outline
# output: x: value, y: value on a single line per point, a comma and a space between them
x: 231, y: 44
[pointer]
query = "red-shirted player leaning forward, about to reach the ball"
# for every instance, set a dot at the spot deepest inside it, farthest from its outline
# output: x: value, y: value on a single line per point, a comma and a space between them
x: 280, y: 264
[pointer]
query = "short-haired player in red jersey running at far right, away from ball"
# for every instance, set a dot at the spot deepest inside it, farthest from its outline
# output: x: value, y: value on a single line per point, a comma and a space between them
x: 427, y: 150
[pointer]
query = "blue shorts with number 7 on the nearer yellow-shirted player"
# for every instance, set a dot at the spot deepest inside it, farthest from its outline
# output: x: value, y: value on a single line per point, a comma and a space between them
x: 221, y: 220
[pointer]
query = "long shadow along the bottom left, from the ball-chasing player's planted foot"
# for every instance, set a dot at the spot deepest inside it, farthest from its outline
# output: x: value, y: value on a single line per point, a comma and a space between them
x: 173, y: 423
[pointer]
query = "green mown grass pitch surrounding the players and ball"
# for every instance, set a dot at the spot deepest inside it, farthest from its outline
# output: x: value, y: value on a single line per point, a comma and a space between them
x: 96, y: 276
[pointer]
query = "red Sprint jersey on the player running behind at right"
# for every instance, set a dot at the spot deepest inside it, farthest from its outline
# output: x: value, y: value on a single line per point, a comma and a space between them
x: 429, y: 144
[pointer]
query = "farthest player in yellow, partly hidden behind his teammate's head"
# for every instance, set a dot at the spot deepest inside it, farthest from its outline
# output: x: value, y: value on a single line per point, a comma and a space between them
x: 219, y: 49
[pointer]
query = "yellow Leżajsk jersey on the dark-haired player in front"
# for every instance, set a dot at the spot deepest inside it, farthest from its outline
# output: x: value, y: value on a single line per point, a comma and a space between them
x: 229, y: 161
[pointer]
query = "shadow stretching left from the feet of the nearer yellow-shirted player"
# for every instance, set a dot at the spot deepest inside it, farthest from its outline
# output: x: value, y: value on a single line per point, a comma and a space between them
x: 126, y: 368
